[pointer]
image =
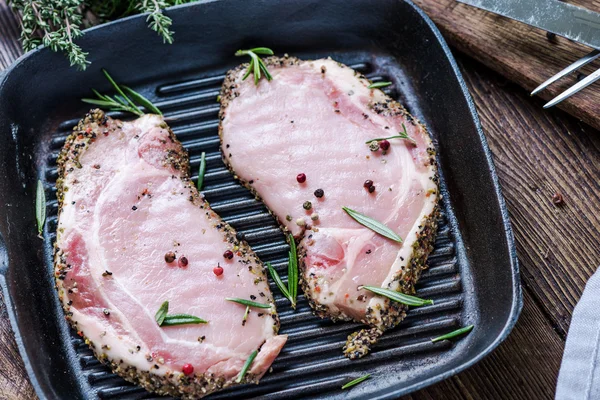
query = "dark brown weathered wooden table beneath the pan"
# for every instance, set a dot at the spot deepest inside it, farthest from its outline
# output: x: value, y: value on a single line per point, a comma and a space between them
x: 537, y: 154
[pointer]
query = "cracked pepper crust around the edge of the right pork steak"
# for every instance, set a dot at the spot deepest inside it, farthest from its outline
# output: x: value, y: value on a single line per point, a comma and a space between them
x: 392, y: 313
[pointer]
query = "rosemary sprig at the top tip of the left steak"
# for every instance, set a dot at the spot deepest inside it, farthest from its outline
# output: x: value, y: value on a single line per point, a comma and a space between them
x: 122, y: 102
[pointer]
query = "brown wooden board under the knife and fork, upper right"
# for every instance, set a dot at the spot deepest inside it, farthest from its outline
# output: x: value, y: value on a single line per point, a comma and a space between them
x: 521, y: 53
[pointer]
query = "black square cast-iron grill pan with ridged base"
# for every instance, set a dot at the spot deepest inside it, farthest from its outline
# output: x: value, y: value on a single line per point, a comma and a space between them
x: 473, y: 275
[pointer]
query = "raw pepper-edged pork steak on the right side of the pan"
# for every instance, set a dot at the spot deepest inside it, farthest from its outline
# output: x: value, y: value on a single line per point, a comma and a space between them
x: 302, y: 138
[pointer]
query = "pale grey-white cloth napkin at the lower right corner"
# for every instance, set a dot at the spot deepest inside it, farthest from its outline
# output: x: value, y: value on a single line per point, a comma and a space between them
x: 579, y: 377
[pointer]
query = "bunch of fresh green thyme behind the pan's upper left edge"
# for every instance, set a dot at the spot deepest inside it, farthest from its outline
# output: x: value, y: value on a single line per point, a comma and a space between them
x: 57, y: 23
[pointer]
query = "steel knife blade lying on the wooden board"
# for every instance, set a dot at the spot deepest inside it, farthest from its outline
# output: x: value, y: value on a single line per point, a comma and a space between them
x: 566, y: 20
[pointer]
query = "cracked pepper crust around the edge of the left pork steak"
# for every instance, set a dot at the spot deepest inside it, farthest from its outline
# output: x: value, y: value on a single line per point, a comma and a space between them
x: 91, y: 128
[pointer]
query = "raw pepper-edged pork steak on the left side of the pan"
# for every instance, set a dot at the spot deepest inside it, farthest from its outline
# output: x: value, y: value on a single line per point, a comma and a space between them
x: 133, y: 232
